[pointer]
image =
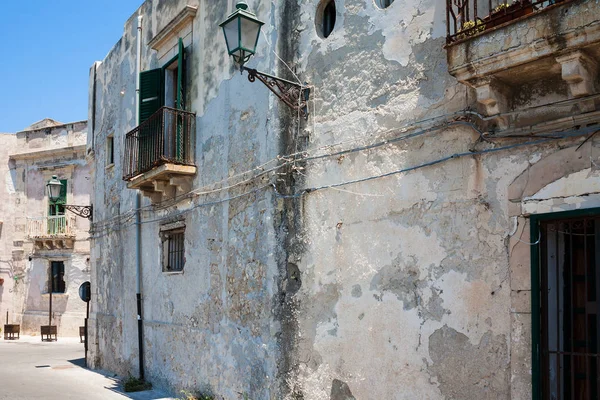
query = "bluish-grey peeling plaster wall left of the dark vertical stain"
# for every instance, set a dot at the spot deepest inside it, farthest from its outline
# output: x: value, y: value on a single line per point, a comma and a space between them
x: 211, y: 327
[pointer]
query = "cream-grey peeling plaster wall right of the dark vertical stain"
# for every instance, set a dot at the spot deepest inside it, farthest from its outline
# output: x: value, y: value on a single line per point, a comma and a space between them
x: 406, y: 280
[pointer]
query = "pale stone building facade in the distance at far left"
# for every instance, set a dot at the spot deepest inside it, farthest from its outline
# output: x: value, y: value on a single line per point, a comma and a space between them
x: 41, y: 242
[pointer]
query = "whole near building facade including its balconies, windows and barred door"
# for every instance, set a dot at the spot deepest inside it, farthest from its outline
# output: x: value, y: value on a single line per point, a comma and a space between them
x: 387, y: 247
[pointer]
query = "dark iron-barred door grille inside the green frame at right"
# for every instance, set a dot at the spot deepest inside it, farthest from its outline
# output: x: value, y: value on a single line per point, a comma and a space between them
x: 570, y: 285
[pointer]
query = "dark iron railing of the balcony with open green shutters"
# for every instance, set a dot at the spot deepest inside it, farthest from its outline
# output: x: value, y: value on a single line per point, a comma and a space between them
x: 164, y: 138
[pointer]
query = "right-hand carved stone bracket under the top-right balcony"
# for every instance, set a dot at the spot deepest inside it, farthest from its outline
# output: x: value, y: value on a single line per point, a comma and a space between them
x: 579, y: 71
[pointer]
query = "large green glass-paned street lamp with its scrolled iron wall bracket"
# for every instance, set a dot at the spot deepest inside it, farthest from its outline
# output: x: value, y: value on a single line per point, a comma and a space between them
x: 242, y: 30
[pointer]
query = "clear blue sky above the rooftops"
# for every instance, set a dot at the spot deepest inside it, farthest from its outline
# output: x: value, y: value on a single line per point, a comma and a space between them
x: 47, y: 48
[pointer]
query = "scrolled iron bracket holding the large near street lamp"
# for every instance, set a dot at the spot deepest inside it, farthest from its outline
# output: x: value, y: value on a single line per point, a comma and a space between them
x: 291, y: 93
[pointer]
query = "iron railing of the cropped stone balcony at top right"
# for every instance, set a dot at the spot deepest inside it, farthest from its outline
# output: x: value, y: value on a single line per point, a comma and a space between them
x: 466, y: 18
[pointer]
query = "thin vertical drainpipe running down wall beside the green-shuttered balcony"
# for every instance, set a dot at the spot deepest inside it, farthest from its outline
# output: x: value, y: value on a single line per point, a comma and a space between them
x: 138, y: 203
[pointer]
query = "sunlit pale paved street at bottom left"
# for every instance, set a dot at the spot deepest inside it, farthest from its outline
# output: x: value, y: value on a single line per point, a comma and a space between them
x: 30, y: 370
